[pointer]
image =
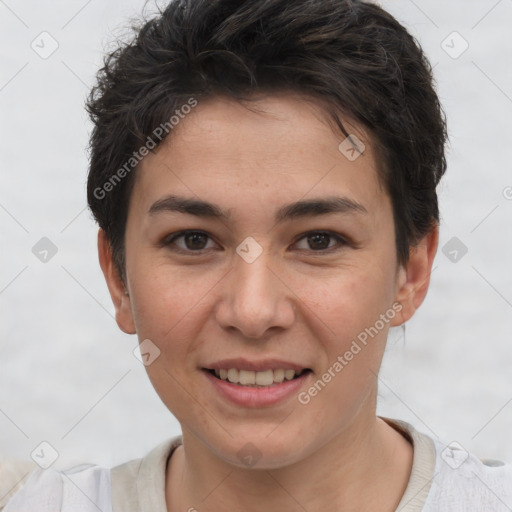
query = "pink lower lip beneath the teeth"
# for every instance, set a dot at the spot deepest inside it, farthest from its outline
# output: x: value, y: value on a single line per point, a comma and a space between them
x: 246, y: 396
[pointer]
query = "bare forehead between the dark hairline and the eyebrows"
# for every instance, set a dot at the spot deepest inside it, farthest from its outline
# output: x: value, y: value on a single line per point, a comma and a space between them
x: 264, y: 150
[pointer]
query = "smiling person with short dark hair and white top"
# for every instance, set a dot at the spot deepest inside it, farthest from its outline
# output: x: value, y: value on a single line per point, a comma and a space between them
x: 264, y: 177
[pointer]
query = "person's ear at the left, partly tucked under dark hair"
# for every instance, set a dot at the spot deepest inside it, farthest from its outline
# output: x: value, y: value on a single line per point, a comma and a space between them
x: 115, y: 284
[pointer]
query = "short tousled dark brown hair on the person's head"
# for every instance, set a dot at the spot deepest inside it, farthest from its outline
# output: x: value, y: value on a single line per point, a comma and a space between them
x: 353, y: 55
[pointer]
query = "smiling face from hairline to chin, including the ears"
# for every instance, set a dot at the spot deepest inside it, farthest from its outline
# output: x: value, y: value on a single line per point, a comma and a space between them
x: 256, y: 248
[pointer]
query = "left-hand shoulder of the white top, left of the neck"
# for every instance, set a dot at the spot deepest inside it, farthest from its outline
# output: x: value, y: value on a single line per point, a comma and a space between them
x: 133, y: 486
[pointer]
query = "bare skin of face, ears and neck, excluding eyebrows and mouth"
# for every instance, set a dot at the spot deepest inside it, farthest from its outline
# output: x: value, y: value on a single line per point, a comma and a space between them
x: 293, y: 302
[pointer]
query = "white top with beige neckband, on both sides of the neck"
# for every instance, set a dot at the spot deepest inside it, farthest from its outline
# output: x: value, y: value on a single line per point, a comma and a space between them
x: 443, y: 479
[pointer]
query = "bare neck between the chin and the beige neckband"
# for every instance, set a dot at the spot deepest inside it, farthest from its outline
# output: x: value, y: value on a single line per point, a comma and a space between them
x: 360, y: 469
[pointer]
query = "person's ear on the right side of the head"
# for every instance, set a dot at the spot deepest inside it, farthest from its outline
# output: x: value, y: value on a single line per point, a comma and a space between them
x: 414, y: 278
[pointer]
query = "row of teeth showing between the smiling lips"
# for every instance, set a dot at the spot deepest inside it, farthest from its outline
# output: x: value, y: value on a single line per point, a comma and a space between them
x: 257, y: 379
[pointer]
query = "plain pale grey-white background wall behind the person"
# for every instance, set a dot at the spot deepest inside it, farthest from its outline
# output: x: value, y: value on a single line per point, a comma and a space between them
x: 68, y: 375
